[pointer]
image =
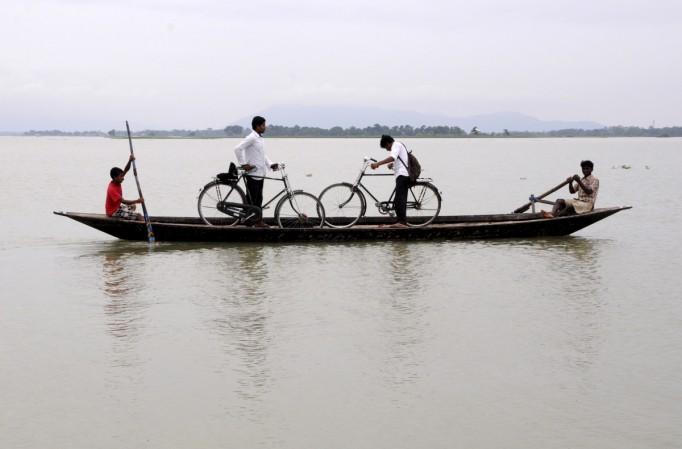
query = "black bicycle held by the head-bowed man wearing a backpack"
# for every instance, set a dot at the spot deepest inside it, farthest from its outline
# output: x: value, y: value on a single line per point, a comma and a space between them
x: 345, y: 203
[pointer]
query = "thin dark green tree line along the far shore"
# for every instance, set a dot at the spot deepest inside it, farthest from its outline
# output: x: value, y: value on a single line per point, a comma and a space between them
x: 375, y: 131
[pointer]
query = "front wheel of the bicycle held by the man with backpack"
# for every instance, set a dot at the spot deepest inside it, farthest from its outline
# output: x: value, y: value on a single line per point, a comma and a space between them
x: 343, y: 207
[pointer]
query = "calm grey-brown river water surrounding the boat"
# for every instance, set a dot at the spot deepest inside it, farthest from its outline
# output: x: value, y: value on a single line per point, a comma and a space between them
x: 571, y: 342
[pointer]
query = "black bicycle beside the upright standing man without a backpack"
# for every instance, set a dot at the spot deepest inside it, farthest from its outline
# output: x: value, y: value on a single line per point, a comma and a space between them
x: 222, y: 202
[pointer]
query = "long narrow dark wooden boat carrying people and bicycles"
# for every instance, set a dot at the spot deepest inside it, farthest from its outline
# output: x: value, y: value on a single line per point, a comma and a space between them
x: 190, y: 229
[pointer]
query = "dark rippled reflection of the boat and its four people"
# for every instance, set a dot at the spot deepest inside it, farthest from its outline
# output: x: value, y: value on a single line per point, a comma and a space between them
x: 238, y: 282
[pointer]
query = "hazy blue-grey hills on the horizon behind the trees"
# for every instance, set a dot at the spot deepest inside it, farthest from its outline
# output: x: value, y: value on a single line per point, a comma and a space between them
x: 346, y: 116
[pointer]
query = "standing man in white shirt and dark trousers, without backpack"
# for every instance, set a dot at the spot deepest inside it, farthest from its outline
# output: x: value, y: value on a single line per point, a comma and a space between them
x: 252, y: 158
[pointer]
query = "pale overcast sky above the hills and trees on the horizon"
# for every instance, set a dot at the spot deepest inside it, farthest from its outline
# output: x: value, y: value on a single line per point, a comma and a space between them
x: 77, y: 65
